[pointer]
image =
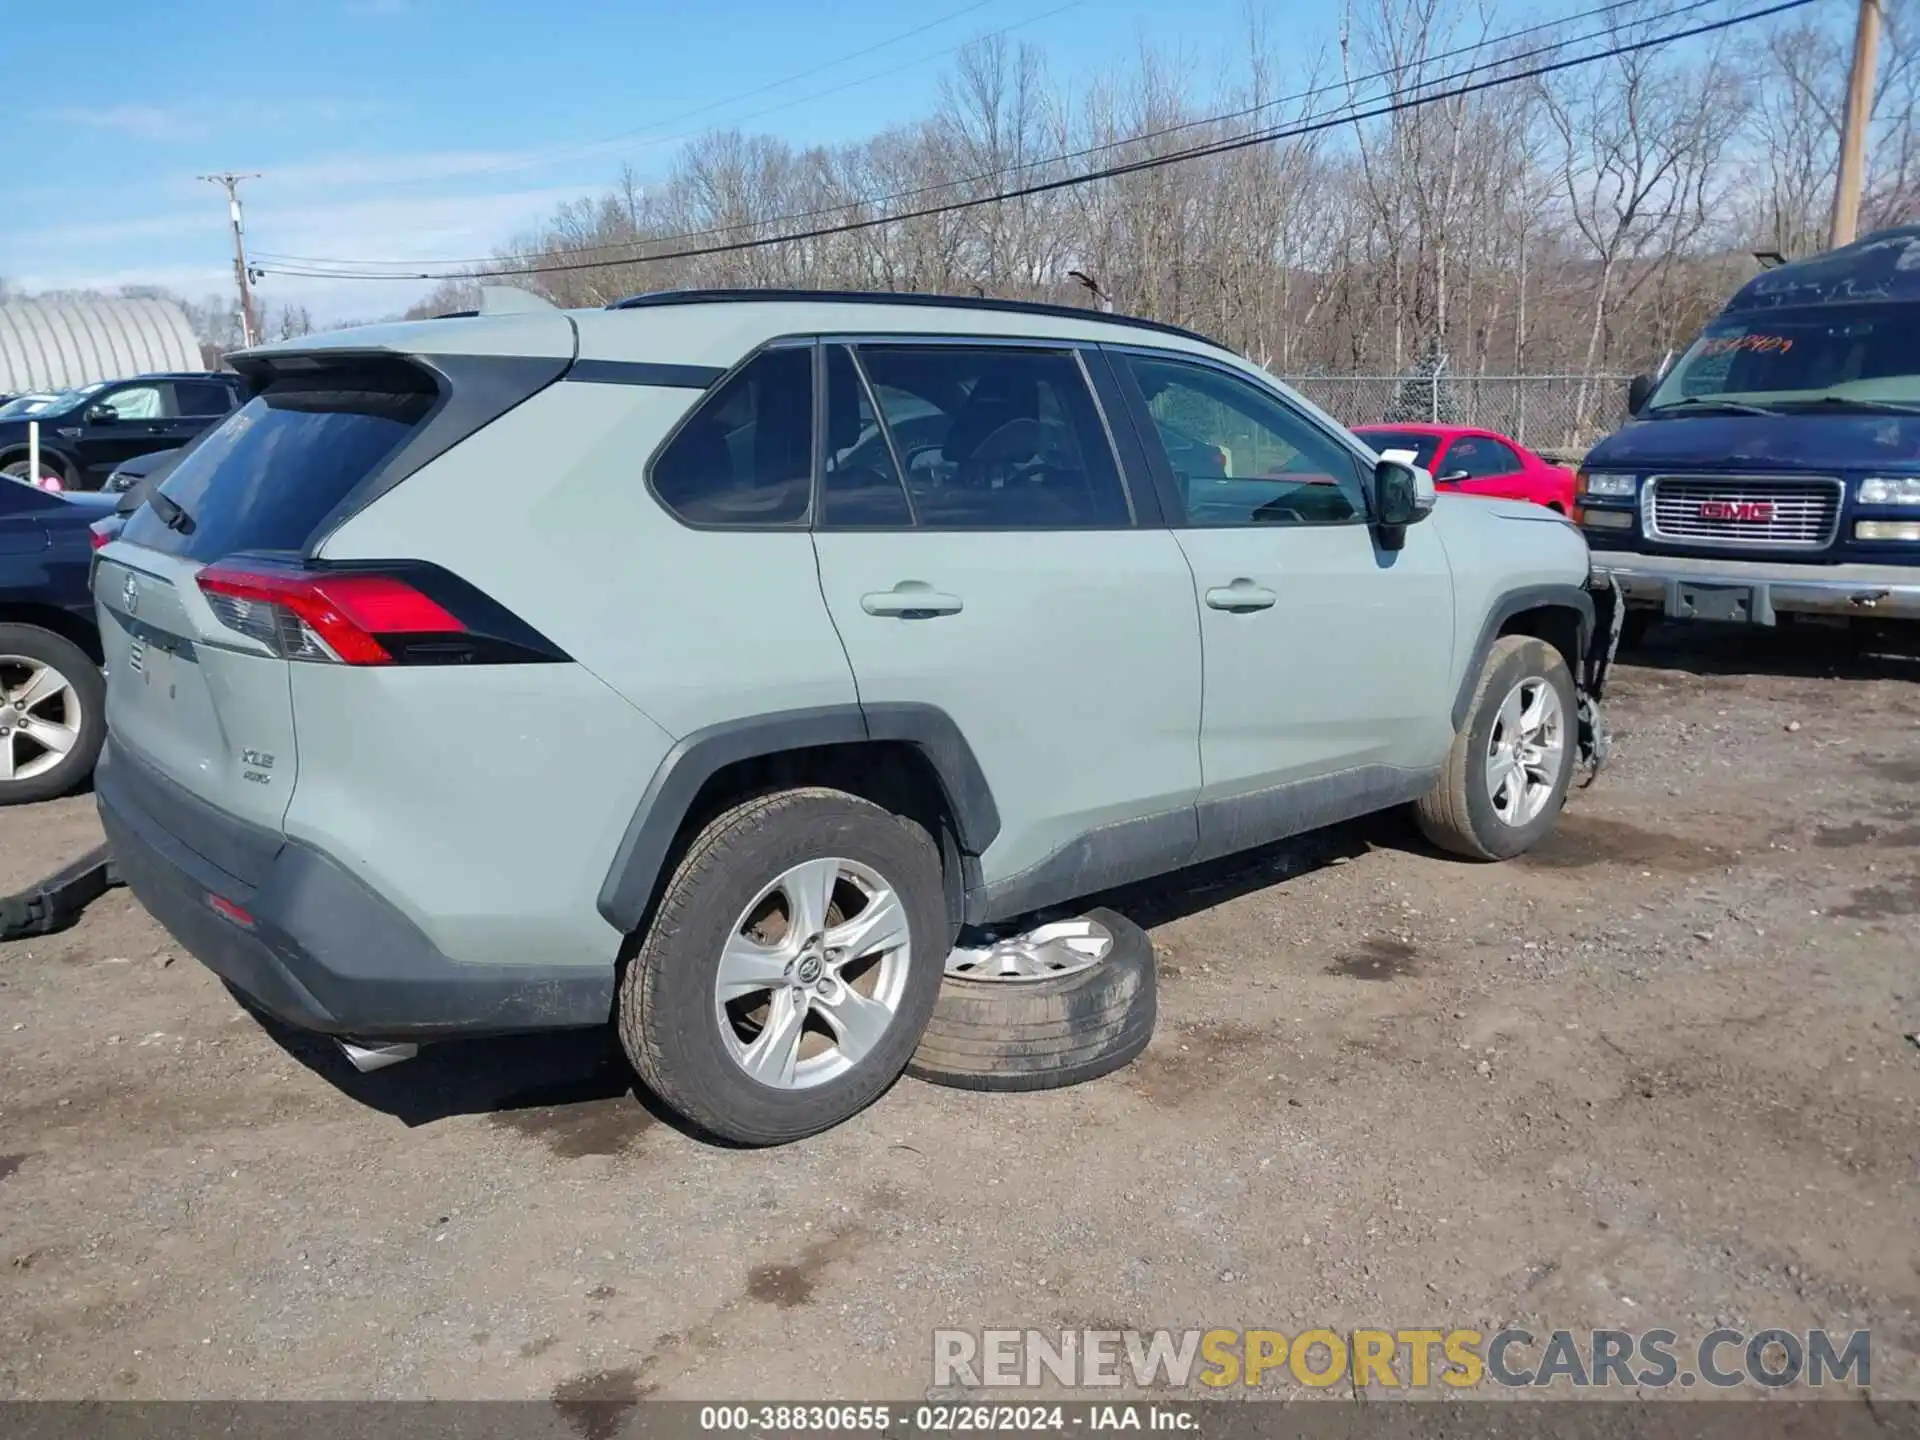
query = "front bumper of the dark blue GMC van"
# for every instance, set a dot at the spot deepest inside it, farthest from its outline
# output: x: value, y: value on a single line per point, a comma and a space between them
x: 1675, y: 585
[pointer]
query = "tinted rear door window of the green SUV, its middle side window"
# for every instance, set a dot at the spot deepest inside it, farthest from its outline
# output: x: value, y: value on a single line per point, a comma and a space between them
x: 994, y: 439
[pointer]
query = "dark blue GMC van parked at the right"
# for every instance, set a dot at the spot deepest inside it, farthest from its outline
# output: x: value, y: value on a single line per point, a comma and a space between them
x: 1775, y: 468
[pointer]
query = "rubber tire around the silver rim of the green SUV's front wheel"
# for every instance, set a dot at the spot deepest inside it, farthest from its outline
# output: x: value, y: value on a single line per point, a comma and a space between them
x: 1458, y: 813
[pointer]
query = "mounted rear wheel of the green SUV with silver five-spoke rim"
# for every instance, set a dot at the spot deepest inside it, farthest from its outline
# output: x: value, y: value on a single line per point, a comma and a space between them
x: 669, y: 1013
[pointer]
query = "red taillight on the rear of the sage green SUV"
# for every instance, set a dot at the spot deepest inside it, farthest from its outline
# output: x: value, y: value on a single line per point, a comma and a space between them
x: 324, y: 615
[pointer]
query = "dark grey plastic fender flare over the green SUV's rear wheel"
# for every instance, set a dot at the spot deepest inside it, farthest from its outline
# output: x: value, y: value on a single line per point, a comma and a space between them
x: 696, y: 757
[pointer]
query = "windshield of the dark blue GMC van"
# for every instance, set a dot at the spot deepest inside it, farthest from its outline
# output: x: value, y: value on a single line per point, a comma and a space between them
x: 1783, y: 360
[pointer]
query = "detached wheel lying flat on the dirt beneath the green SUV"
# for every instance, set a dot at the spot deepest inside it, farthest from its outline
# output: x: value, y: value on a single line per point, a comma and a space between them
x: 1059, y: 1005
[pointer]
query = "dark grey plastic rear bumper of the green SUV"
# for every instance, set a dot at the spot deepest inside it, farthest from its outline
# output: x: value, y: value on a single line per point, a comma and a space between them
x: 324, y: 953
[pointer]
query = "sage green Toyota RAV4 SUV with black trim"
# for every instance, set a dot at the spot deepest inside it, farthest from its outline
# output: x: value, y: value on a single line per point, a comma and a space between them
x: 706, y: 665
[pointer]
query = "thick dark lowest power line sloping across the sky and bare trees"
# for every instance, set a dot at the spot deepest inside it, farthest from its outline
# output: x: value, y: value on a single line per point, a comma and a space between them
x: 1111, y: 172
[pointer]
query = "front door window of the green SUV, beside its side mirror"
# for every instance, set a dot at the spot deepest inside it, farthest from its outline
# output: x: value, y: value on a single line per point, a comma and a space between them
x: 1241, y: 456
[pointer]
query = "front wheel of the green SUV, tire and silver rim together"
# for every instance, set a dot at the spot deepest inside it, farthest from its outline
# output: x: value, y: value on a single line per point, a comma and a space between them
x: 1506, y: 779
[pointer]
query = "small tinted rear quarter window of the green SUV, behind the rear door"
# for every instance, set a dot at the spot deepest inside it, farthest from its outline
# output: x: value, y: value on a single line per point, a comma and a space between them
x: 746, y: 454
